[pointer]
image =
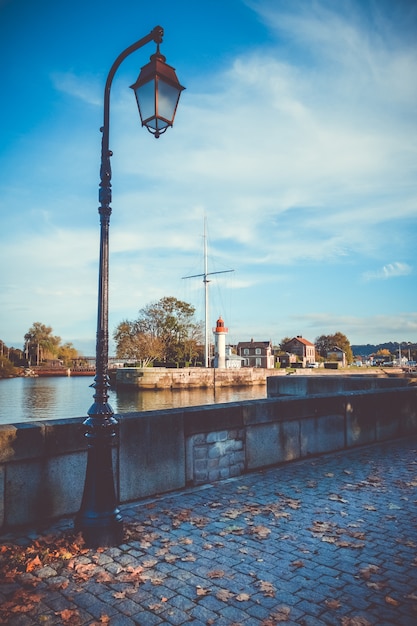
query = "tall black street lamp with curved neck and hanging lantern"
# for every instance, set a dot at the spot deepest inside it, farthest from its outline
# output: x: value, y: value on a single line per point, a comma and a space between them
x: 157, y: 93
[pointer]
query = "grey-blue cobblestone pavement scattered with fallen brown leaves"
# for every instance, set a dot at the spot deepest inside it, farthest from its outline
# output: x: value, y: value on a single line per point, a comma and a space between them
x: 330, y: 540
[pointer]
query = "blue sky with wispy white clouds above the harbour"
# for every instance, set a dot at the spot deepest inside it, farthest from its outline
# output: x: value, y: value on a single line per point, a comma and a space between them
x: 296, y: 138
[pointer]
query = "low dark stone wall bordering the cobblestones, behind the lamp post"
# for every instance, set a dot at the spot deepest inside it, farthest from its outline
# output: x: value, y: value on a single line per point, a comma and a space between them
x: 42, y: 464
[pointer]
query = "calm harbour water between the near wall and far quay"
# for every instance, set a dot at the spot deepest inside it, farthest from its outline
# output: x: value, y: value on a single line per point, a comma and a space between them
x: 28, y: 399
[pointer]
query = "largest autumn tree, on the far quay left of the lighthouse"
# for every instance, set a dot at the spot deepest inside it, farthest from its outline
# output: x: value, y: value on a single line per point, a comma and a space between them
x: 164, y: 330
